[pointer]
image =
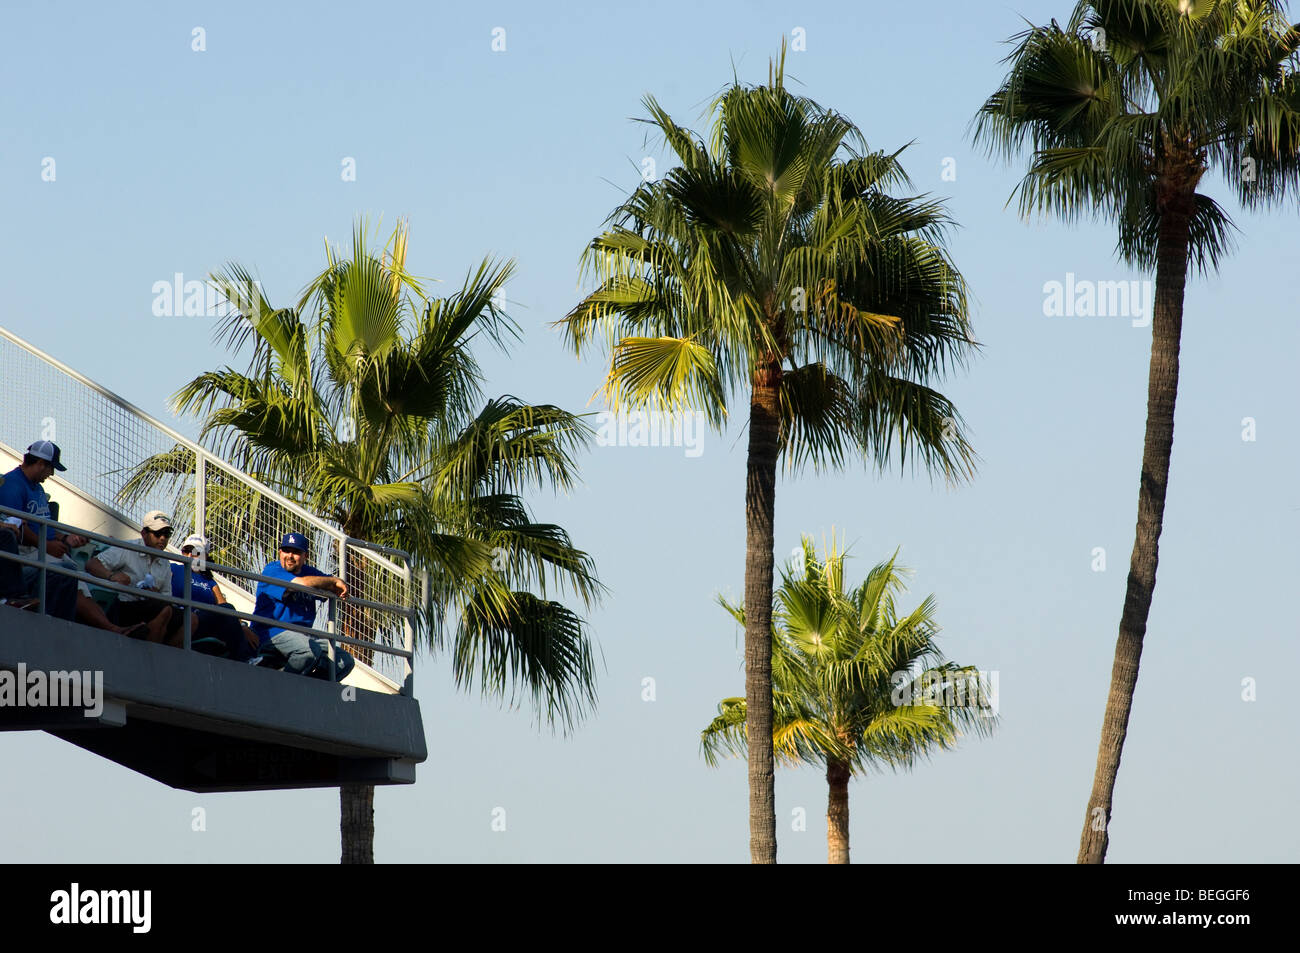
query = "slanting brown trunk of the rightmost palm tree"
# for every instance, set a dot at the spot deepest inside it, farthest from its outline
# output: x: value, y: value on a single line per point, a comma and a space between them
x: 1158, y: 447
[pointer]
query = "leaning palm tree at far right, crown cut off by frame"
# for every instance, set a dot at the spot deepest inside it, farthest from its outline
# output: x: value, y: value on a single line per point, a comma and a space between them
x: 1126, y: 109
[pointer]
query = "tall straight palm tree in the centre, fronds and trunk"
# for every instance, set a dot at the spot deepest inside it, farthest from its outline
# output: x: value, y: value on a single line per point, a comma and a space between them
x: 774, y: 262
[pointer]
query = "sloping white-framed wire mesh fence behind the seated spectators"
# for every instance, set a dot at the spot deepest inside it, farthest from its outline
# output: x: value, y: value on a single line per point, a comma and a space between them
x: 106, y: 440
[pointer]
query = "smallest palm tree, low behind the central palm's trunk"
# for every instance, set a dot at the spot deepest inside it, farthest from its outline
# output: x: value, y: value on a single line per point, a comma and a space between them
x: 855, y: 683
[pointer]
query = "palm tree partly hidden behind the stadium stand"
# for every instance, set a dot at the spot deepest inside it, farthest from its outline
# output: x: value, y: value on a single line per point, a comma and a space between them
x: 363, y: 402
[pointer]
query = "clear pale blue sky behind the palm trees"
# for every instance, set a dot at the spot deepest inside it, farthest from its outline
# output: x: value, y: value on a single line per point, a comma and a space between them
x: 172, y: 161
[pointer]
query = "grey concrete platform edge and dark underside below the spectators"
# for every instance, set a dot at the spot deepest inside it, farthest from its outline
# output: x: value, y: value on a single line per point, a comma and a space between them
x: 209, y: 725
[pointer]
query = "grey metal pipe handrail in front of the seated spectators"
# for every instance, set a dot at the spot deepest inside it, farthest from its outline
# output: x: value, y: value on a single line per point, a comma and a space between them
x: 45, y: 566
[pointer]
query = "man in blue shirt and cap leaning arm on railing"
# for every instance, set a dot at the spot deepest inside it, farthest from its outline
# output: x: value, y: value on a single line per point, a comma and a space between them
x: 304, y: 655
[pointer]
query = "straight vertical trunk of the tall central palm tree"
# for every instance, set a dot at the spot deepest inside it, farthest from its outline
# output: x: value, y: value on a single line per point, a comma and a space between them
x: 760, y: 547
